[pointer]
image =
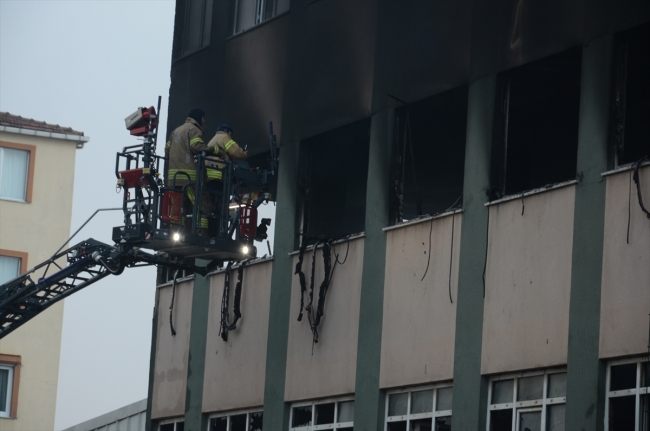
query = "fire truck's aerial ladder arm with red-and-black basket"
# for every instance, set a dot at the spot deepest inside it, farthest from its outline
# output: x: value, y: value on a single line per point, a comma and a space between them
x: 159, y: 227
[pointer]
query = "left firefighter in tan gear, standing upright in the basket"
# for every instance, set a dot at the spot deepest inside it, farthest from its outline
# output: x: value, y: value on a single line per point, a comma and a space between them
x: 184, y: 142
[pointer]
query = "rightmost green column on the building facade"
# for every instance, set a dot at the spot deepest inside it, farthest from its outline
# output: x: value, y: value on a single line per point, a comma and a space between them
x: 586, y: 373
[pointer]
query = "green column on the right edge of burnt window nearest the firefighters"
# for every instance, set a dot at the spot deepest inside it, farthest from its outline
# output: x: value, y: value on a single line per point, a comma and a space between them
x: 369, y: 400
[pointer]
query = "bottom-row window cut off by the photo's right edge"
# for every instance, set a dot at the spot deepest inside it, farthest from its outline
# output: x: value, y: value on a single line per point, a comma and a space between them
x: 627, y: 406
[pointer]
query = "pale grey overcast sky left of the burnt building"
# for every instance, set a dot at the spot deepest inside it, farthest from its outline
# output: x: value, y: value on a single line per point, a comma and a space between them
x: 87, y: 65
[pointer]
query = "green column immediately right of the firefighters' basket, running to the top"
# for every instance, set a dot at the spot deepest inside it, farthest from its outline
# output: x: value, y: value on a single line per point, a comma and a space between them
x: 276, y: 411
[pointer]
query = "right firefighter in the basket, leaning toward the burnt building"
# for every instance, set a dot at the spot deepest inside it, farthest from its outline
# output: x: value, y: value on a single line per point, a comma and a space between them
x: 228, y: 150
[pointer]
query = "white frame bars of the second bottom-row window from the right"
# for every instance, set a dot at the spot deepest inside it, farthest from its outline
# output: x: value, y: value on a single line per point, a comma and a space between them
x: 524, y: 406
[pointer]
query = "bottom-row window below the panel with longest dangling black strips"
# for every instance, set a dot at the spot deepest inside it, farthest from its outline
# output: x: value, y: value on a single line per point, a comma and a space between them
x: 323, y: 415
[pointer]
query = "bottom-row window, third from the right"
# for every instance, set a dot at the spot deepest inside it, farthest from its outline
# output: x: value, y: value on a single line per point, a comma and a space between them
x: 425, y: 408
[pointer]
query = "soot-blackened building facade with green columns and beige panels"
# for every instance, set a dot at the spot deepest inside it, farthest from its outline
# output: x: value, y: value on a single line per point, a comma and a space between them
x: 474, y: 166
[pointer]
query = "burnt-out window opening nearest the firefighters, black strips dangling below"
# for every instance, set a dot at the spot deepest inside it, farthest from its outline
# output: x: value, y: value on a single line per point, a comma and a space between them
x: 332, y: 185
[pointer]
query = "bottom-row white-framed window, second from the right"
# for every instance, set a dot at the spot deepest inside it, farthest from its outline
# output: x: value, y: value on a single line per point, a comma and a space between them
x: 530, y: 401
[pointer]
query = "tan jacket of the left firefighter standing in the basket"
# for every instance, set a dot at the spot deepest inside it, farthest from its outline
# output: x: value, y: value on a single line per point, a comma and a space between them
x: 184, y: 142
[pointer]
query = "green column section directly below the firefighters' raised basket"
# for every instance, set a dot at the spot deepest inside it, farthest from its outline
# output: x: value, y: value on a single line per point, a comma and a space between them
x: 195, y: 420
